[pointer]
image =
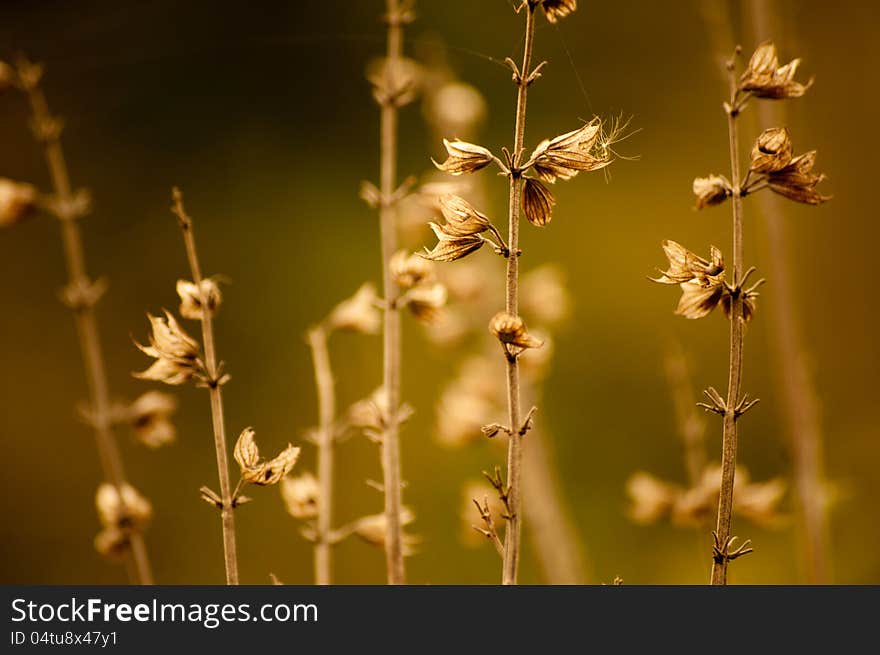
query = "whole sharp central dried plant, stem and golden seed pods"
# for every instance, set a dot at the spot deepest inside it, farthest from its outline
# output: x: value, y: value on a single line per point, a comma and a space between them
x: 559, y: 158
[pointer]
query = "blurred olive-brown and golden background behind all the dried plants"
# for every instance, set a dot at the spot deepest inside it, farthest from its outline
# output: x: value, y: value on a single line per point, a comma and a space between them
x: 263, y: 116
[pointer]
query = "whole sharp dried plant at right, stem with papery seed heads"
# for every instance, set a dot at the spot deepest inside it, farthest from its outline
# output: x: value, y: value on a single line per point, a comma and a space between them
x: 705, y: 284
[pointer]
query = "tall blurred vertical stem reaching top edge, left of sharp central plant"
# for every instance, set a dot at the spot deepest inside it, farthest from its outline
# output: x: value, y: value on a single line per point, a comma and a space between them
x: 391, y: 337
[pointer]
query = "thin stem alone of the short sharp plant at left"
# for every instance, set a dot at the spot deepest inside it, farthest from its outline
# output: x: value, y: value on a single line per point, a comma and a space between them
x: 216, y: 394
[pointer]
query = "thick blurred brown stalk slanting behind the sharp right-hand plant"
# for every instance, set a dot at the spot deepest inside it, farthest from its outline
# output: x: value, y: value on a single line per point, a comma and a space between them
x: 800, y: 400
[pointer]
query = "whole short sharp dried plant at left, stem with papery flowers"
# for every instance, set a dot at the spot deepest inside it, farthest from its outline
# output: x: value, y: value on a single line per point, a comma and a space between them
x: 179, y: 359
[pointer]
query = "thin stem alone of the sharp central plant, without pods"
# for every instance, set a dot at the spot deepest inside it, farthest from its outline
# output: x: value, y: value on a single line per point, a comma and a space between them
x: 512, y: 537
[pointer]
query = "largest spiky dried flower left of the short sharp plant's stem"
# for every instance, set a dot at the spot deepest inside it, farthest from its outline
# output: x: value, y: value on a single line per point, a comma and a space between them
x: 176, y: 353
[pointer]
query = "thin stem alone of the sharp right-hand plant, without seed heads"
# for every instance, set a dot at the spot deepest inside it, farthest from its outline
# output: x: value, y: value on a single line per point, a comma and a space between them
x: 729, y: 439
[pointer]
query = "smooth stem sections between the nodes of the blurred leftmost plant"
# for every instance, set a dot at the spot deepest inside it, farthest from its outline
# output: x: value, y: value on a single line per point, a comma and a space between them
x: 86, y: 321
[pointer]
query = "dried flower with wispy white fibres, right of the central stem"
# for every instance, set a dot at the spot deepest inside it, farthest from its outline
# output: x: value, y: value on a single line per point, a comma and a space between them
x: 566, y: 155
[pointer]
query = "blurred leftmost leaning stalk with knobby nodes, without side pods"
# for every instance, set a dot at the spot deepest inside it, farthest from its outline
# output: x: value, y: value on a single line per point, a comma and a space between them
x: 81, y: 295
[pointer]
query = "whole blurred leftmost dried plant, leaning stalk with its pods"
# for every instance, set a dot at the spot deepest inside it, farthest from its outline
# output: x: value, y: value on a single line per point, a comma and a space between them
x: 122, y: 537
